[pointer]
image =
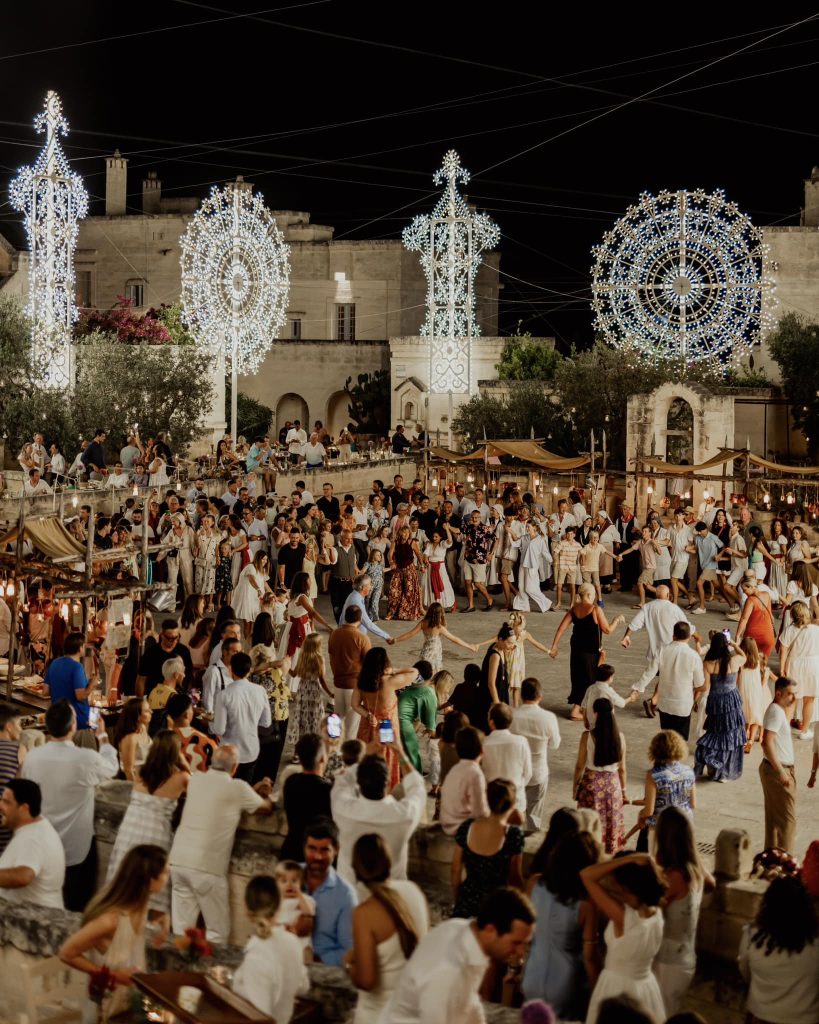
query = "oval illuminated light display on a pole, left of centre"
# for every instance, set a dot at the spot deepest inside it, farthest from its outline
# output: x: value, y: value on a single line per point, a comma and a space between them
x: 236, y: 280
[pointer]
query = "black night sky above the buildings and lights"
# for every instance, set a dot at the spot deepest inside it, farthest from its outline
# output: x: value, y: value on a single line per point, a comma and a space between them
x: 346, y: 110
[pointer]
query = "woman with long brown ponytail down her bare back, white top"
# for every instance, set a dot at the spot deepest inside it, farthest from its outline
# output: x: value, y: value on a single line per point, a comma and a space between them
x: 386, y: 928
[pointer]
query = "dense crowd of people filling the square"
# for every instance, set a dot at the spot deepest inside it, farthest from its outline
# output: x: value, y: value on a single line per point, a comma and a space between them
x: 220, y: 695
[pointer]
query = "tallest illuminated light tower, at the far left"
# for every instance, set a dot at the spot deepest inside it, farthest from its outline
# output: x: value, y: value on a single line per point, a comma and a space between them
x: 53, y: 199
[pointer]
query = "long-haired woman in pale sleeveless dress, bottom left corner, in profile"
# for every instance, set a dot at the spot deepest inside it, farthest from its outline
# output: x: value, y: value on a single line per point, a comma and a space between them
x: 113, y: 931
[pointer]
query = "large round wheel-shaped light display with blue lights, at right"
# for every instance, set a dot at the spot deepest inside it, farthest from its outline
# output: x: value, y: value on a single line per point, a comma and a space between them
x: 682, y: 276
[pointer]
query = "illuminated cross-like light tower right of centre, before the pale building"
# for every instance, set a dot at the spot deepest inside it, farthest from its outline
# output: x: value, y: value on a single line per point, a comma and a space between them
x: 451, y: 242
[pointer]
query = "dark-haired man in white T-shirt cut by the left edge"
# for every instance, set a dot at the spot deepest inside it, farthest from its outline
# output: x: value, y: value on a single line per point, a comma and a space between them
x: 33, y: 866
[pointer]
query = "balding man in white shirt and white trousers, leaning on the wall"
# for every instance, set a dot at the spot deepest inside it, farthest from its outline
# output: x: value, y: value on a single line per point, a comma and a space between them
x: 200, y: 856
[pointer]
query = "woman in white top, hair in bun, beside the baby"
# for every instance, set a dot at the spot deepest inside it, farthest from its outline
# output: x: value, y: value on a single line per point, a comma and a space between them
x: 273, y: 973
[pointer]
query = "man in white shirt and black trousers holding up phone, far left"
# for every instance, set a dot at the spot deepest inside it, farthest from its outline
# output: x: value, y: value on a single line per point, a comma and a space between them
x: 68, y: 778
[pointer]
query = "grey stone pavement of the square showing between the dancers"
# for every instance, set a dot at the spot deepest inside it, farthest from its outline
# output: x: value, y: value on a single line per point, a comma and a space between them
x: 728, y: 805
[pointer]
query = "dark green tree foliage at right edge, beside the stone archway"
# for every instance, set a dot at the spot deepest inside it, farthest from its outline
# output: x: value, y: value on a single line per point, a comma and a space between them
x: 795, y: 347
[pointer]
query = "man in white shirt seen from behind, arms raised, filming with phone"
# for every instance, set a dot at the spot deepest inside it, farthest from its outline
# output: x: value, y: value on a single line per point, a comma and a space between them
x: 361, y: 804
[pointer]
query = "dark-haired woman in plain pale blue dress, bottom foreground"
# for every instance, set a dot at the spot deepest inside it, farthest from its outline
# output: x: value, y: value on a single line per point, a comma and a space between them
x: 564, y: 962
